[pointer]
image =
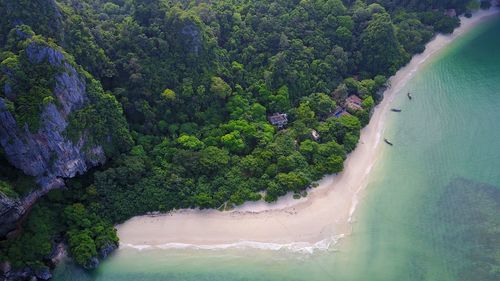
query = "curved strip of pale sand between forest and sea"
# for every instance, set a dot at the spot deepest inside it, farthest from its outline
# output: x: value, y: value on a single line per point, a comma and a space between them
x: 303, y: 225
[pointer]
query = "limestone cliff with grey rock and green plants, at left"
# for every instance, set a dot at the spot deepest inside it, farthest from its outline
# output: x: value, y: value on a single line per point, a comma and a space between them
x: 50, y: 113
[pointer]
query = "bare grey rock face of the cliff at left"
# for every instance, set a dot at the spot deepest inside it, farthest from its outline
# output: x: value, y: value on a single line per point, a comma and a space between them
x: 46, y: 154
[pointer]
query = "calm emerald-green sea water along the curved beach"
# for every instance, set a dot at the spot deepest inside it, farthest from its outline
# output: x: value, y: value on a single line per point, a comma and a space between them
x: 430, y: 212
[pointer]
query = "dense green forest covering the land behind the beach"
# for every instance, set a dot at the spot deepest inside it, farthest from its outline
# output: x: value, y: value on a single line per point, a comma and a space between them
x: 197, y: 83
